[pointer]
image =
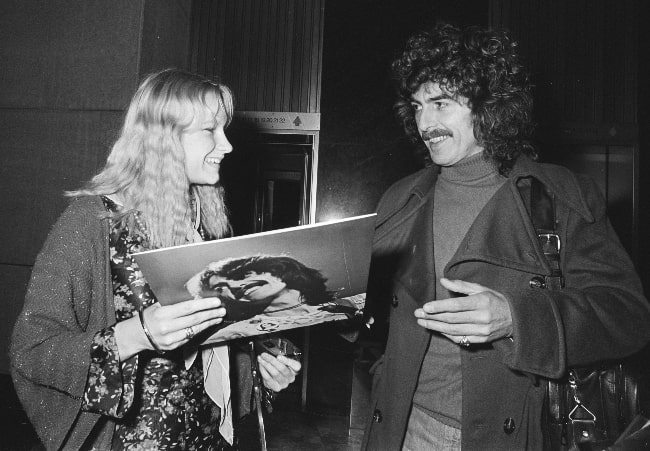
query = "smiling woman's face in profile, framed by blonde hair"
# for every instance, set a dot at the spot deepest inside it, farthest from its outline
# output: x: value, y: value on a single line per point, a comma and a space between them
x: 205, y: 143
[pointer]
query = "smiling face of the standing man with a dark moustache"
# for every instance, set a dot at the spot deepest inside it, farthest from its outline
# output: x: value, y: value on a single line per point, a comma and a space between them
x: 445, y: 124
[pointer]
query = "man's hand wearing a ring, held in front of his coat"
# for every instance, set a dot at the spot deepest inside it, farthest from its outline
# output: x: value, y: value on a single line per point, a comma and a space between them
x: 482, y: 316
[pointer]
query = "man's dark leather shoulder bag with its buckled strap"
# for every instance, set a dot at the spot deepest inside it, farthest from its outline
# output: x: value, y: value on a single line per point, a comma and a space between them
x: 590, y: 408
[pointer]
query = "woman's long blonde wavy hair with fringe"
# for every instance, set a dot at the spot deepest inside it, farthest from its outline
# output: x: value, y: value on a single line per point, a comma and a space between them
x: 146, y: 165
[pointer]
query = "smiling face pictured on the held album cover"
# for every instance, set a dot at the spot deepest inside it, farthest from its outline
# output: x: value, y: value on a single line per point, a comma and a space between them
x: 254, y: 287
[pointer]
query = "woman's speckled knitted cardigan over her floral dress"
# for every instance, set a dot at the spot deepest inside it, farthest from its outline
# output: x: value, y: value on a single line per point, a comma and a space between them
x: 69, y: 299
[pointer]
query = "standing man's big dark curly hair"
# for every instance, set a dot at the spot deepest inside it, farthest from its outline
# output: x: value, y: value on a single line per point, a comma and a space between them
x: 481, y: 65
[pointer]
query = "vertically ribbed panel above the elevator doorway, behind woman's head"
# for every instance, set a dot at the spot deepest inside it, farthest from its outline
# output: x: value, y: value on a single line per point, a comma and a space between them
x: 269, y: 51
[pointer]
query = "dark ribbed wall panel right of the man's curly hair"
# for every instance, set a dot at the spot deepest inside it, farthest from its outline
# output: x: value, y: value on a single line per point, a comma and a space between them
x: 583, y: 55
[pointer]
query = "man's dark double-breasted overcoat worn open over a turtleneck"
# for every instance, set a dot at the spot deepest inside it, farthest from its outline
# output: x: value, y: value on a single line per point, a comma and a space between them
x: 601, y: 313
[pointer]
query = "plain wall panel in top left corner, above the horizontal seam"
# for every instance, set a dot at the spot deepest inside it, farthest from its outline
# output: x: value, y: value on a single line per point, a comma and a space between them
x: 62, y: 54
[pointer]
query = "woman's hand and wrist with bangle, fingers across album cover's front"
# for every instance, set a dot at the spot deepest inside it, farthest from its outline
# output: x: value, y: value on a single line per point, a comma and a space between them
x: 170, y: 326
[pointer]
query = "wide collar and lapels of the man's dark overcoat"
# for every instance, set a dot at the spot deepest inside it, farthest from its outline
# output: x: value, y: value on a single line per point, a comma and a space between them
x: 502, y: 233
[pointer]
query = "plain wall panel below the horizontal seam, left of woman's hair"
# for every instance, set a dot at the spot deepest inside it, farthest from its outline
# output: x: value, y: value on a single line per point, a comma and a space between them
x: 44, y: 153
